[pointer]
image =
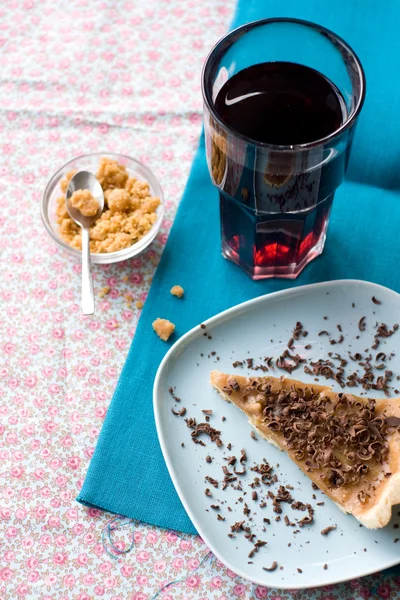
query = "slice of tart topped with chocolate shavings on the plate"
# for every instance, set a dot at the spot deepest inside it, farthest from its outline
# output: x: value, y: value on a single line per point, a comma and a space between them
x: 348, y: 446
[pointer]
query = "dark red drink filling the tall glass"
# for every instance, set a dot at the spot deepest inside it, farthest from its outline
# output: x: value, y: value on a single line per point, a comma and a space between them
x: 275, y: 204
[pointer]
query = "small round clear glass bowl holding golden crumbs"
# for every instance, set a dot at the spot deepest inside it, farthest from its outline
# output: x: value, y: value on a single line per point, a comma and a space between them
x: 90, y: 162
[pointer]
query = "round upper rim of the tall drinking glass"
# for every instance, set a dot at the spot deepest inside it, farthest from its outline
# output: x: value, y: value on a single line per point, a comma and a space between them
x: 285, y: 147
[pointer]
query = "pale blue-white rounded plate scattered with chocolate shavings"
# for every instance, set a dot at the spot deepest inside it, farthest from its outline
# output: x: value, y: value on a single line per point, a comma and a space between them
x: 246, y: 331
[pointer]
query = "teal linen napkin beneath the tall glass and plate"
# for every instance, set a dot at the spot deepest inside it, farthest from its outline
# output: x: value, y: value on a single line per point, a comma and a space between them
x: 127, y: 474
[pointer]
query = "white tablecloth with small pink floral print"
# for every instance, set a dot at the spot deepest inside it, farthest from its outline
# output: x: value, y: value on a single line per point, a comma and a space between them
x: 79, y: 76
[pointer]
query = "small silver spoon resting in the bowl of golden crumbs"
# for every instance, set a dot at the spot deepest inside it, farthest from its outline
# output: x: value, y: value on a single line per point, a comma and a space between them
x: 84, y: 180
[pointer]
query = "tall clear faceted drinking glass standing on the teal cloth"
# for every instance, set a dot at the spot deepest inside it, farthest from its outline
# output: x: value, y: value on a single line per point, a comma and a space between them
x: 275, y: 200
